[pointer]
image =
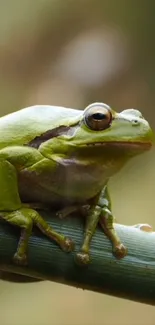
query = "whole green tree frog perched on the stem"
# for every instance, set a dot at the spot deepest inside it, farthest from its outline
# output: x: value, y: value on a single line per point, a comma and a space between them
x: 63, y: 158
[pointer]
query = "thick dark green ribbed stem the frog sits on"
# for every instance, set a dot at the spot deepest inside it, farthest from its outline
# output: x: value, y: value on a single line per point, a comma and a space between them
x: 132, y: 277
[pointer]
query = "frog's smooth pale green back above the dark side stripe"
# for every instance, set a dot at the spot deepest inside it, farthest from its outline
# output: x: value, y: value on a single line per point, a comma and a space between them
x: 23, y: 126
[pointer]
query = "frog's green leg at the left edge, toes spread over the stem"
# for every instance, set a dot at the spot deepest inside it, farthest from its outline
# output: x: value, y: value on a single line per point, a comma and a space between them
x: 12, y: 211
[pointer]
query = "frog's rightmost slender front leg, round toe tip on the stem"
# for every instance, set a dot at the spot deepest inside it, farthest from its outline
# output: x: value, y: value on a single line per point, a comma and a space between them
x: 106, y: 221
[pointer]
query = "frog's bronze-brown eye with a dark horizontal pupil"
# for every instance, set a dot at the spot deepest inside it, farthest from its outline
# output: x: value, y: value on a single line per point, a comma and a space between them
x: 98, y: 116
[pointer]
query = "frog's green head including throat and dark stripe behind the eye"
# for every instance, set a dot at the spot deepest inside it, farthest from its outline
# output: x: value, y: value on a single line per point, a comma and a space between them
x: 99, y: 134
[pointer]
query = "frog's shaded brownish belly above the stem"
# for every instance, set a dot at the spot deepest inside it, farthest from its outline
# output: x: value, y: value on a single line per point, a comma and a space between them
x: 63, y: 186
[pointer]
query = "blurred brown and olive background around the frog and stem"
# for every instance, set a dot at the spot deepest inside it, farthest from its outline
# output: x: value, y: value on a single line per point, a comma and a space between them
x: 72, y: 53
